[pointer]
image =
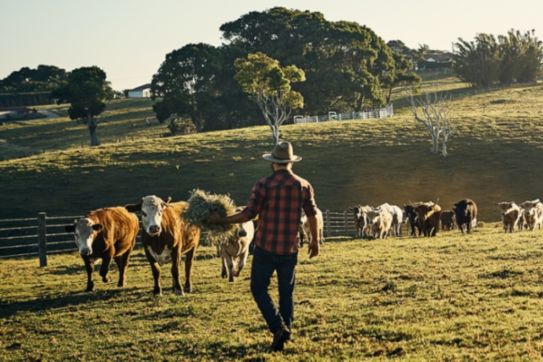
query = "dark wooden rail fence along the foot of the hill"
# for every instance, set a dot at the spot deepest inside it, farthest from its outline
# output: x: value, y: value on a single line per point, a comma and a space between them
x: 45, y: 235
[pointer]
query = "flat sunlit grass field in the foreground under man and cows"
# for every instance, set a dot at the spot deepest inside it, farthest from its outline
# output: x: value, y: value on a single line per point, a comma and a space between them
x: 453, y: 297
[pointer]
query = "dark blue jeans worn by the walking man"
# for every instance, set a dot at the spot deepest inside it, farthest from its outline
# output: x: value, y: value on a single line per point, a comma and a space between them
x: 264, y: 264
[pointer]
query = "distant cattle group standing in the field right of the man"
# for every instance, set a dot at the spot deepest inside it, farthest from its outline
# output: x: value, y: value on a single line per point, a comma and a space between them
x: 426, y: 218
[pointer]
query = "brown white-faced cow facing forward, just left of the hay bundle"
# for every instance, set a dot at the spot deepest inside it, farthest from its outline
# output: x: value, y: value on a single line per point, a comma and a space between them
x: 167, y: 235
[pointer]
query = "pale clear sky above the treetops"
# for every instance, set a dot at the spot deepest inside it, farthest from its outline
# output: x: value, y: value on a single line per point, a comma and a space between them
x: 129, y: 39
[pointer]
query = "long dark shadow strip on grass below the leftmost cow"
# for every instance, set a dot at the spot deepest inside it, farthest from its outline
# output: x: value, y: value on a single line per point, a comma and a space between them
x: 8, y: 309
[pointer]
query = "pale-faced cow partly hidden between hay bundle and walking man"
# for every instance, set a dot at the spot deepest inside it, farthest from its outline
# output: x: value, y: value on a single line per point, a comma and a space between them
x: 235, y: 249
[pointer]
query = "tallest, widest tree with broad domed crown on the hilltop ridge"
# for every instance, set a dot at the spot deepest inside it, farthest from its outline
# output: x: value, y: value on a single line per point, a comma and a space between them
x: 345, y: 63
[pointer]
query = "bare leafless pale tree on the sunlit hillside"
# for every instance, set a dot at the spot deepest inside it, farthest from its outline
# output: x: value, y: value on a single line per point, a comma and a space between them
x: 435, y: 117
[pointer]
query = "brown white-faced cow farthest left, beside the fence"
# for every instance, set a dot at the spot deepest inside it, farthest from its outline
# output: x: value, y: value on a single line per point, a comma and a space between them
x: 108, y: 233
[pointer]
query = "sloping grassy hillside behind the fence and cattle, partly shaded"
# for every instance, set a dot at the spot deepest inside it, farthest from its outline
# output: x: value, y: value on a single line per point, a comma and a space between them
x: 495, y: 155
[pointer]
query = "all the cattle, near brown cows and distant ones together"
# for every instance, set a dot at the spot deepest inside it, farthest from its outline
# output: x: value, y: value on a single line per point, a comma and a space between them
x: 110, y: 233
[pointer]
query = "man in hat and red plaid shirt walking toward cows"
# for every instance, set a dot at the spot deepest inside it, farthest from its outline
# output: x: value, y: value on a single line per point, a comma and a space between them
x: 278, y: 200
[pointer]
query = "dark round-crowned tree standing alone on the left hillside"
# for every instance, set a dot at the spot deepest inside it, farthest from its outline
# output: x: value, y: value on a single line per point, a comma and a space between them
x: 86, y: 90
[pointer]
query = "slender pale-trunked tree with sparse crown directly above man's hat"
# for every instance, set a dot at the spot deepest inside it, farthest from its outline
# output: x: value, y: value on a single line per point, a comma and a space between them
x: 270, y: 85
